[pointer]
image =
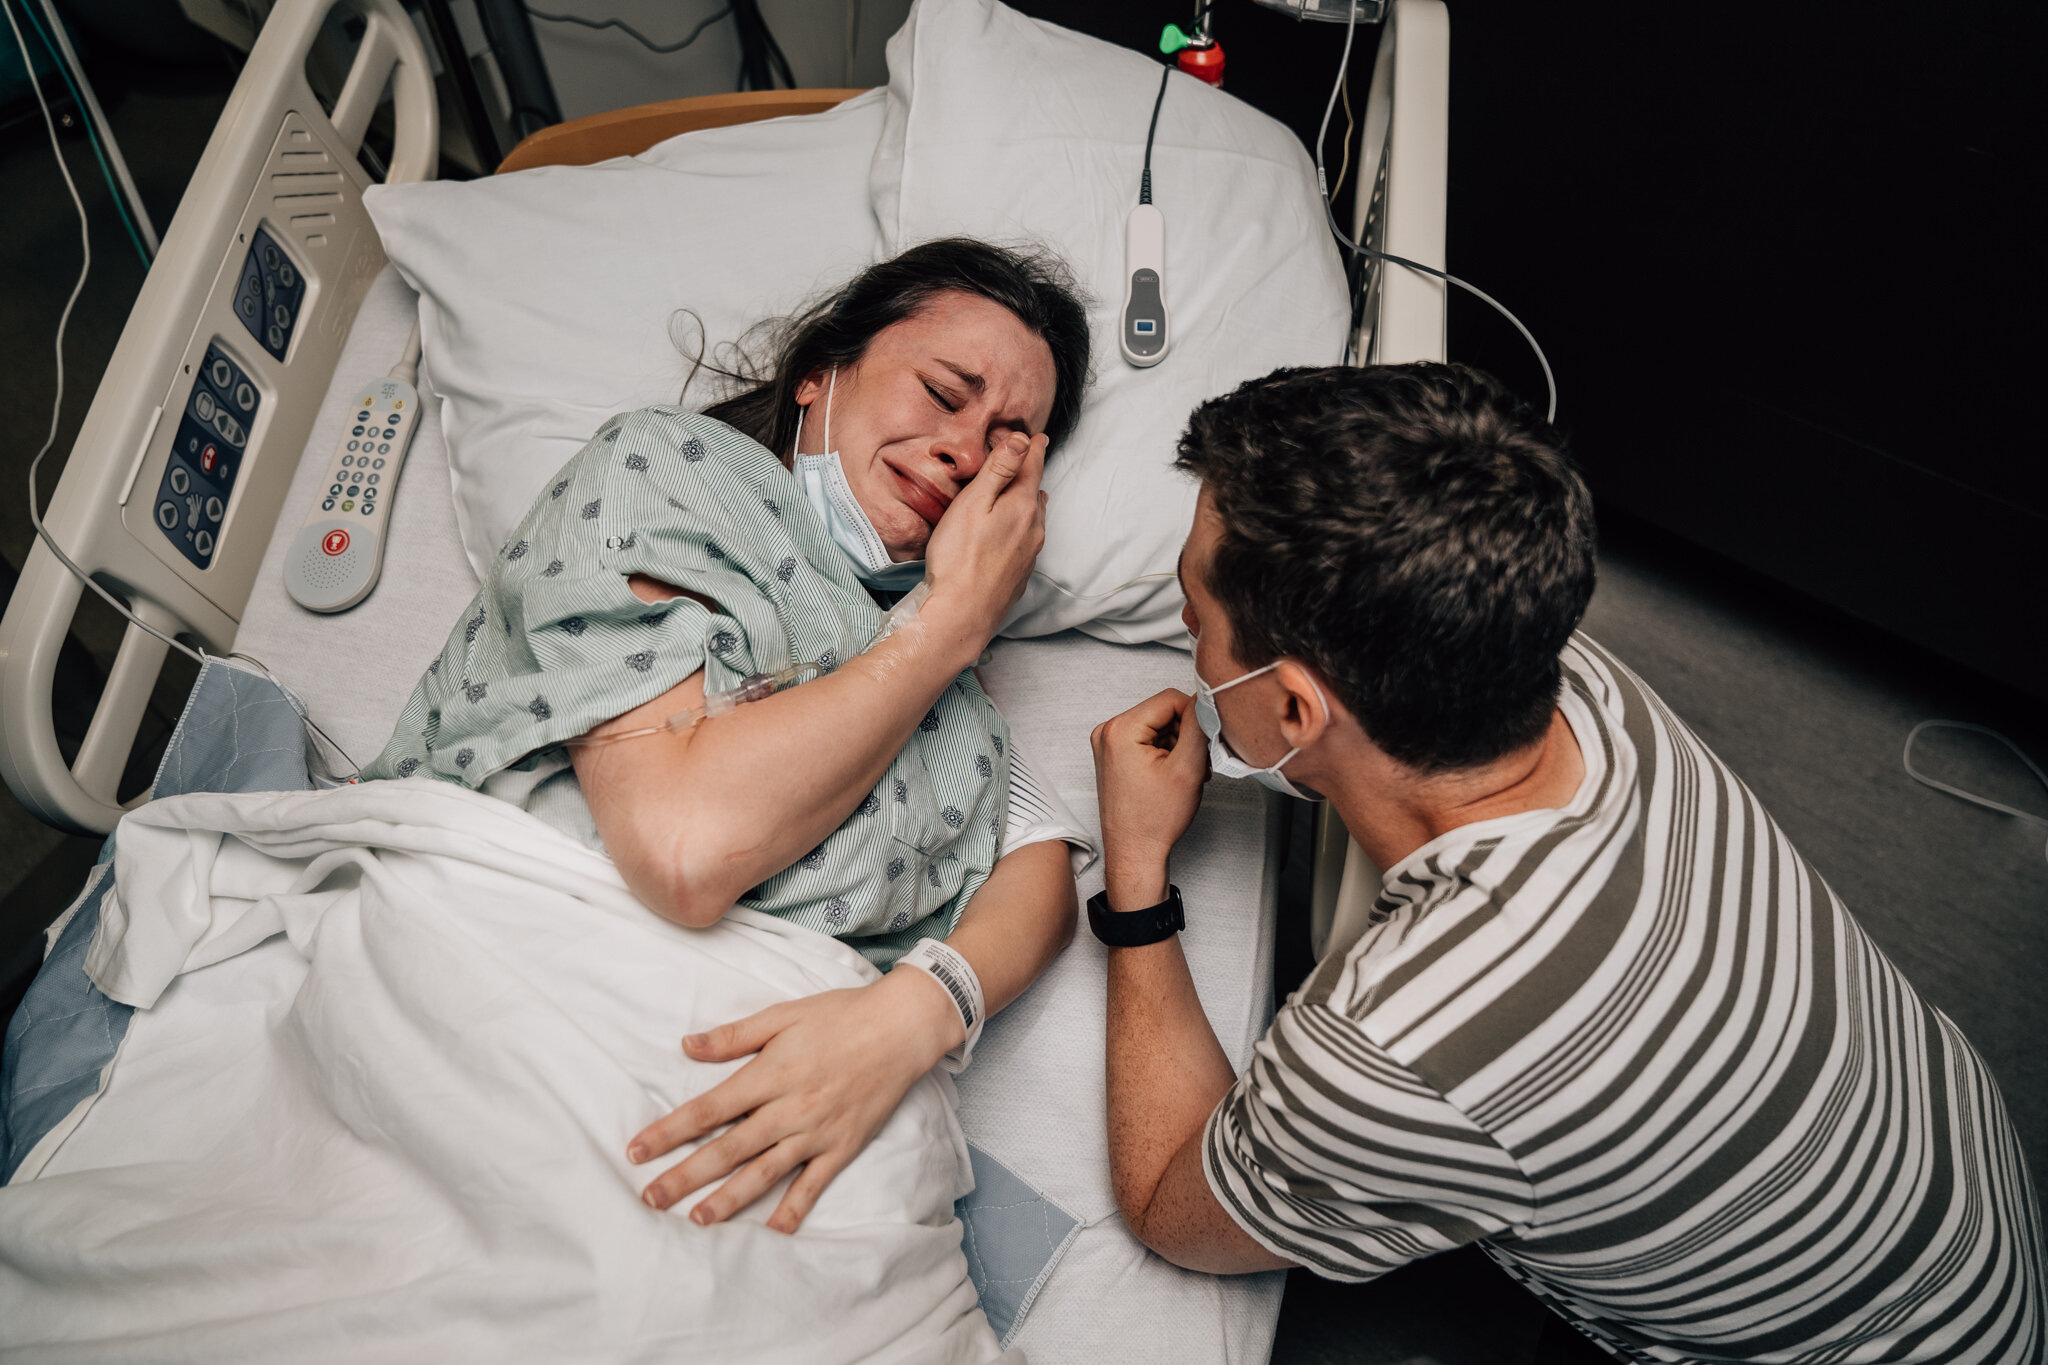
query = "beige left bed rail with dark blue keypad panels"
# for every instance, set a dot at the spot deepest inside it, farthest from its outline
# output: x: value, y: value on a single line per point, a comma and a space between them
x: 204, y: 412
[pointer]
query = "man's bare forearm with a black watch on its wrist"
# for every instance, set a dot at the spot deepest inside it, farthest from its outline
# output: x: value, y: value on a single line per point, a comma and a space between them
x: 1166, y: 1069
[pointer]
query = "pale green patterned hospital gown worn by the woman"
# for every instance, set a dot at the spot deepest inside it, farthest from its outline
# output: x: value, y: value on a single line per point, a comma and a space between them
x: 556, y: 644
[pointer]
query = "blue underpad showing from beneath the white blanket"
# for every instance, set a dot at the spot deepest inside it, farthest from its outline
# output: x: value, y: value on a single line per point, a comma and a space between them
x: 245, y: 734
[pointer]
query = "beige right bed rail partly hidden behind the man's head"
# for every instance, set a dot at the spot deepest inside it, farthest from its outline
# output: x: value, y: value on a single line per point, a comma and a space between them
x: 1400, y: 210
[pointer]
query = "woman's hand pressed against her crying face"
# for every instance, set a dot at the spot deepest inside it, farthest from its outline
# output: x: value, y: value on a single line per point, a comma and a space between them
x: 984, y: 549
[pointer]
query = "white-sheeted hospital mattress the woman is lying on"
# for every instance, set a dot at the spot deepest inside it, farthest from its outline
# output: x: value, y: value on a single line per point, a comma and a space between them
x: 1060, y: 1272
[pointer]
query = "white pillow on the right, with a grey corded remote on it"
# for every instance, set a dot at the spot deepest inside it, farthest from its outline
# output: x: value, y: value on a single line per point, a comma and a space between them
x: 1015, y: 130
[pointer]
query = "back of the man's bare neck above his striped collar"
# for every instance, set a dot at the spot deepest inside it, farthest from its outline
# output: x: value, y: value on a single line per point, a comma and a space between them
x: 1394, y: 811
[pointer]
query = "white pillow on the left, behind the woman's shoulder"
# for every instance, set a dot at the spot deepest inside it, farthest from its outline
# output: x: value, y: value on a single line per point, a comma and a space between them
x: 548, y: 296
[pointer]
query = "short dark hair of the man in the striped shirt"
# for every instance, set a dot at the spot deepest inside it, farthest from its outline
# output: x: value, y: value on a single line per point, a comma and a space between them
x: 1414, y: 535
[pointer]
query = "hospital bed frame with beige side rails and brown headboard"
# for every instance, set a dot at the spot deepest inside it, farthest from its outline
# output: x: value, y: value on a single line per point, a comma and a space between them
x: 288, y: 165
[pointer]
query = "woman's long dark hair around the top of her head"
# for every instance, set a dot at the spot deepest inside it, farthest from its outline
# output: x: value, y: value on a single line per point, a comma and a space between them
x: 837, y: 331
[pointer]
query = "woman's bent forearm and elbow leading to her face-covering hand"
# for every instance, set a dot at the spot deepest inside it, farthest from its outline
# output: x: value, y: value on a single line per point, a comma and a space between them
x: 699, y: 818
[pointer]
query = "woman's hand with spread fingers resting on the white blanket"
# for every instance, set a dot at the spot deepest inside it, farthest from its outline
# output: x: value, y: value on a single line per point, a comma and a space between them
x: 828, y: 1073
